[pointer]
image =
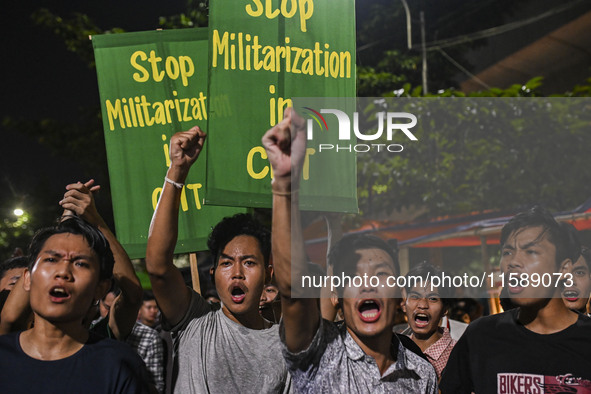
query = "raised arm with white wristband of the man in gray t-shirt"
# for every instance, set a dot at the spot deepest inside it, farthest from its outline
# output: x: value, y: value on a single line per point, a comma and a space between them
x: 169, y: 288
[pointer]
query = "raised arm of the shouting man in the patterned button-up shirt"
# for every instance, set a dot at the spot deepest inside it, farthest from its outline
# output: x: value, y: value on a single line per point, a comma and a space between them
x: 286, y: 146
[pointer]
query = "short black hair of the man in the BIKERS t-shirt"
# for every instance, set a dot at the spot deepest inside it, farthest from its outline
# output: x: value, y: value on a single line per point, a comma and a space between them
x: 537, y: 216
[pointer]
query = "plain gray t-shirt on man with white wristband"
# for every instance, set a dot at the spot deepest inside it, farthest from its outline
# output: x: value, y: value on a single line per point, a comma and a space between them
x: 226, y: 350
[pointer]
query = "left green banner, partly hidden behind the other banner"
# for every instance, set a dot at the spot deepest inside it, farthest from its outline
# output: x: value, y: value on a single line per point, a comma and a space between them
x: 153, y: 84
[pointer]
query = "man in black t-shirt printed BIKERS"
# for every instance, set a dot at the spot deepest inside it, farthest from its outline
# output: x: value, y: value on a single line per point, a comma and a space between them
x: 540, y: 346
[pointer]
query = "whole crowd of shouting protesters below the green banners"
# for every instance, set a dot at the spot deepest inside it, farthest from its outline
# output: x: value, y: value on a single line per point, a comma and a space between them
x: 75, y: 318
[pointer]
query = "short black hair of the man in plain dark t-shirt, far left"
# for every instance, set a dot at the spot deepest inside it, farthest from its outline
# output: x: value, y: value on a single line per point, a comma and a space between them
x: 75, y: 225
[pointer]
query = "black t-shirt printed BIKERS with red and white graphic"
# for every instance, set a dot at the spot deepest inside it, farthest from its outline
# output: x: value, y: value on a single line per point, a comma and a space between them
x: 497, y: 354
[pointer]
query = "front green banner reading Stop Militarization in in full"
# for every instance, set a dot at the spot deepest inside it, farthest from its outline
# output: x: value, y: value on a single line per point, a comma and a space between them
x: 263, y: 53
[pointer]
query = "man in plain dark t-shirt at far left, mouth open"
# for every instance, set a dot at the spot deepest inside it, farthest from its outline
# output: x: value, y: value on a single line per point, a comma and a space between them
x: 71, y: 266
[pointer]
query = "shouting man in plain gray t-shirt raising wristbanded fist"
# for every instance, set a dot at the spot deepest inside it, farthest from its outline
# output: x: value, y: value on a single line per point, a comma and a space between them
x: 227, y: 349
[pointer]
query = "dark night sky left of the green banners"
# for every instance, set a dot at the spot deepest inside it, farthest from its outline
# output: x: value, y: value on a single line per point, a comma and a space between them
x: 42, y: 79
